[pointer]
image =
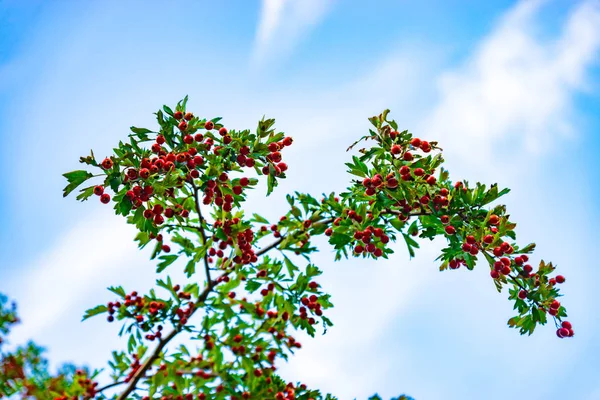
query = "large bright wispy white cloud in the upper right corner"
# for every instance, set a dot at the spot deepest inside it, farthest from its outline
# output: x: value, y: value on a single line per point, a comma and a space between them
x: 516, y: 87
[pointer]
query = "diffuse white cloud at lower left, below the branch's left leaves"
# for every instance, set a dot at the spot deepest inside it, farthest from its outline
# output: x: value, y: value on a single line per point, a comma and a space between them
x: 79, y: 260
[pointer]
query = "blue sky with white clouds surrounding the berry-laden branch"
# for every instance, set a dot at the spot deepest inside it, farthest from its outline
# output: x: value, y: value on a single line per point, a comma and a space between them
x: 509, y: 89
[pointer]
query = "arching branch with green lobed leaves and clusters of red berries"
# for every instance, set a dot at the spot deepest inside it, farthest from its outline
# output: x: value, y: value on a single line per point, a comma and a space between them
x: 250, y: 281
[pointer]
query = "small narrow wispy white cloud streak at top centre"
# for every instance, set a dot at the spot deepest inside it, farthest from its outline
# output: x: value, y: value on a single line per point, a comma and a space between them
x: 282, y: 24
